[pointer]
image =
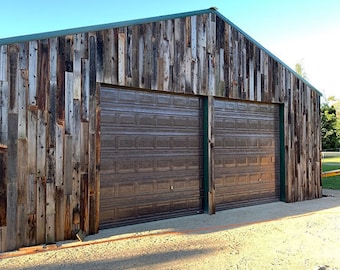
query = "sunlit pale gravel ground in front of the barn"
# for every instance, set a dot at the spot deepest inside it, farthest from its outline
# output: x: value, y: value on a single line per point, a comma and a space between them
x: 303, y: 235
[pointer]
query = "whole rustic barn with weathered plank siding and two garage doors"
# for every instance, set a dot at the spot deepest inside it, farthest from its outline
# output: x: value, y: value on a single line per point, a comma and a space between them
x: 134, y: 121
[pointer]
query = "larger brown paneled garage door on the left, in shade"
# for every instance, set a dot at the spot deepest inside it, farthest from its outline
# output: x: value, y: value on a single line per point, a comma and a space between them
x: 151, y: 156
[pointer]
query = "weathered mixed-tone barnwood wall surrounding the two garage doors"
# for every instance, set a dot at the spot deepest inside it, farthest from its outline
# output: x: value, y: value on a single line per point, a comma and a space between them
x: 50, y: 112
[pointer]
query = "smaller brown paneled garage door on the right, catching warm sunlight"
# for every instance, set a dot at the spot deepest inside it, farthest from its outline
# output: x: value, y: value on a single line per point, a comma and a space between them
x: 246, y: 153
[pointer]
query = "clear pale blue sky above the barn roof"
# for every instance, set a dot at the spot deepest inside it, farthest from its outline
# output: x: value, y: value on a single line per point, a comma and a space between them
x: 296, y: 31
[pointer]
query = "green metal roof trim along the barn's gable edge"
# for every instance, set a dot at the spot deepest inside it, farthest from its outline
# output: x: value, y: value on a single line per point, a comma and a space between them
x: 52, y: 34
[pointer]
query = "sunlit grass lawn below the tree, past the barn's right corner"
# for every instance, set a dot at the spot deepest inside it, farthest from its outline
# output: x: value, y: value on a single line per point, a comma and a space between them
x: 330, y: 164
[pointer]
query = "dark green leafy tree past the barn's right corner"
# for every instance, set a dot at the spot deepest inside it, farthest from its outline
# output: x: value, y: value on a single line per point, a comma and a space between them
x: 329, y: 132
